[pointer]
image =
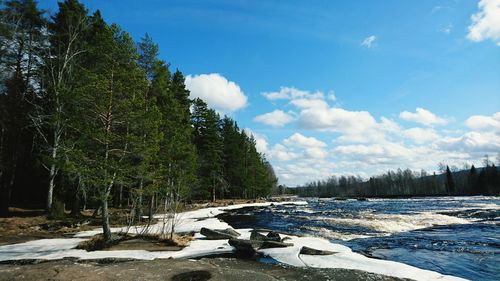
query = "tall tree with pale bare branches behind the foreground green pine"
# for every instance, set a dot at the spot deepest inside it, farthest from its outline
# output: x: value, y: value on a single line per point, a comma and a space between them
x: 67, y: 31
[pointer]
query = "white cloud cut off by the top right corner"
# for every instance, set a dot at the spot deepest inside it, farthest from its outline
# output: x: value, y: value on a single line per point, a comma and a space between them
x: 486, y: 22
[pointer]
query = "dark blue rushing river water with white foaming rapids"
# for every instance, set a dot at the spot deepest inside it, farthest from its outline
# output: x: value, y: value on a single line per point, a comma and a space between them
x: 458, y: 236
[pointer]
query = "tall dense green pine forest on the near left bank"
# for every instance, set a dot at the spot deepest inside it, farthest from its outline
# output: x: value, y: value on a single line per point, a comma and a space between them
x: 90, y: 117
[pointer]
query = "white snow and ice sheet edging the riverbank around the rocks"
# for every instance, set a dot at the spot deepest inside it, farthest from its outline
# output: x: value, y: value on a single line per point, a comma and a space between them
x: 194, y: 220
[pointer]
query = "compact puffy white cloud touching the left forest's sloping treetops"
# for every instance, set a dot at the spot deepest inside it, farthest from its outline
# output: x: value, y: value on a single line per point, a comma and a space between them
x: 217, y: 91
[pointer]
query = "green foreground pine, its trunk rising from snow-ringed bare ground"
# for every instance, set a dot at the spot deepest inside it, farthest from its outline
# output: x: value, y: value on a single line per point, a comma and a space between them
x: 109, y: 107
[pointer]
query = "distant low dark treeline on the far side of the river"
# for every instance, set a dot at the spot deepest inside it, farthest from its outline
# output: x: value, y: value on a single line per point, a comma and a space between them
x: 403, y: 183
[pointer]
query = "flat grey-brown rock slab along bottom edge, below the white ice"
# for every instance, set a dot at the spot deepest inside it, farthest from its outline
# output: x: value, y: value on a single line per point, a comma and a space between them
x: 216, y: 269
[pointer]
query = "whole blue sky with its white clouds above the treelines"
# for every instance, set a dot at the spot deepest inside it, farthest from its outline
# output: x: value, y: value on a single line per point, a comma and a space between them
x: 336, y: 87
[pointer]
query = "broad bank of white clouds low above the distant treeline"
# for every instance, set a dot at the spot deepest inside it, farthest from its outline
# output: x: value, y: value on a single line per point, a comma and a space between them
x: 365, y: 145
